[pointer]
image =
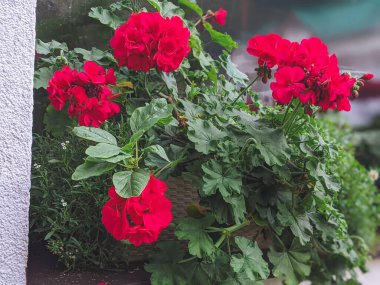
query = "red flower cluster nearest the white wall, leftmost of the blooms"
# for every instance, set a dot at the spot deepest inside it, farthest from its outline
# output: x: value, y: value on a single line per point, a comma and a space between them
x: 86, y: 93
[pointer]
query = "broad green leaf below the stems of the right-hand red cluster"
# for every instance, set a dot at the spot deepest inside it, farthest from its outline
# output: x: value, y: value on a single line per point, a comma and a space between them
x: 271, y: 143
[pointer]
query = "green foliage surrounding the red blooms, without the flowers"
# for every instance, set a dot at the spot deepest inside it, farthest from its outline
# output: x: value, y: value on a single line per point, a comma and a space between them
x: 277, y: 170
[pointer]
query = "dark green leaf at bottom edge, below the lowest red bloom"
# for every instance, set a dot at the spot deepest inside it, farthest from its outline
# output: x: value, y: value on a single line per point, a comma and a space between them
x: 165, y: 268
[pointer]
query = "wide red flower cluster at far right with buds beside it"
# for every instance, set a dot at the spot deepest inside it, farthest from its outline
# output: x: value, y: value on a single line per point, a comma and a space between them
x: 306, y: 71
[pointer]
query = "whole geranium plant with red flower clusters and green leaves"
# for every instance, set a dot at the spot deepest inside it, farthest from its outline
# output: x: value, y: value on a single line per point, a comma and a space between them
x: 265, y: 176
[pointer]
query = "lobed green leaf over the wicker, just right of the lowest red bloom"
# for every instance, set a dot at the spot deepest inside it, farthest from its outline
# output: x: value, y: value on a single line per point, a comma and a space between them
x: 193, y: 230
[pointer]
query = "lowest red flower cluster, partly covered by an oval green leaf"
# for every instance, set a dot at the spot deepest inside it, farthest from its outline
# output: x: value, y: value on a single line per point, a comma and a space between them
x: 148, y: 214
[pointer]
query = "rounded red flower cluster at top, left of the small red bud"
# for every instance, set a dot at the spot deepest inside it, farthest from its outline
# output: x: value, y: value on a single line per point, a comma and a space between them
x: 148, y: 40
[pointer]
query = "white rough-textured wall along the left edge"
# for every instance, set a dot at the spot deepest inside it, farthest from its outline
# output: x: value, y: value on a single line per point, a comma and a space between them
x: 17, y: 23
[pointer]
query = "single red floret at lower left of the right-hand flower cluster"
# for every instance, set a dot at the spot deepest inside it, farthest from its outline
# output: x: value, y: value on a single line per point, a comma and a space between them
x: 287, y: 84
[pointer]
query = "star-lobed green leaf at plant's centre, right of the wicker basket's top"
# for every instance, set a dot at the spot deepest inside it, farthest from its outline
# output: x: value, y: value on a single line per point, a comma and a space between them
x: 225, y: 180
